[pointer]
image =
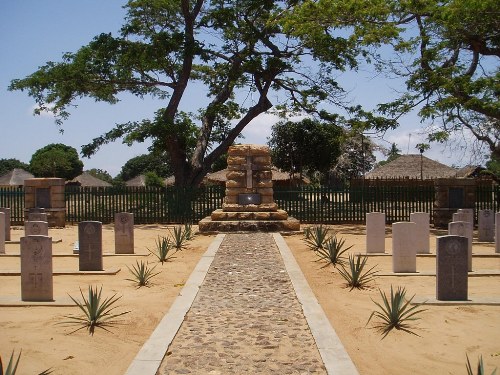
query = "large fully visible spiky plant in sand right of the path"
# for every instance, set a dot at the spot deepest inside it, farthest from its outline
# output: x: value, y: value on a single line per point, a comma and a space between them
x: 395, y: 312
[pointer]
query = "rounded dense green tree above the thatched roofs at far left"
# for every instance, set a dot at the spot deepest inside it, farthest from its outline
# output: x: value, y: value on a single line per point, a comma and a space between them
x: 56, y: 160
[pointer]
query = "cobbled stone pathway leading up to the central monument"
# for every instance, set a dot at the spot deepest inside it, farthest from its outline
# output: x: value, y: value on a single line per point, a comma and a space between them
x: 246, y: 318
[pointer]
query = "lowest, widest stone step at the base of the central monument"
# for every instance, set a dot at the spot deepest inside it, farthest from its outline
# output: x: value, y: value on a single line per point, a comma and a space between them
x: 289, y: 225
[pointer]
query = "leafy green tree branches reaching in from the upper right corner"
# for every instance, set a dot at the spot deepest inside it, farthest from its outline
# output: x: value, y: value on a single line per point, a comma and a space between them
x: 447, y: 52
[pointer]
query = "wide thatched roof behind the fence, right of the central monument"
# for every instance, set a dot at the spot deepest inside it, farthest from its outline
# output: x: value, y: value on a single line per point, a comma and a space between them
x: 410, y: 166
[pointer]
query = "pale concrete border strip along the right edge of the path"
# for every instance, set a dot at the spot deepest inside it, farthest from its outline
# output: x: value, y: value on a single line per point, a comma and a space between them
x: 335, y: 357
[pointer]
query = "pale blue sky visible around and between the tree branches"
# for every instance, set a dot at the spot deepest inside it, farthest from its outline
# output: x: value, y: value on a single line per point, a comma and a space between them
x: 33, y: 32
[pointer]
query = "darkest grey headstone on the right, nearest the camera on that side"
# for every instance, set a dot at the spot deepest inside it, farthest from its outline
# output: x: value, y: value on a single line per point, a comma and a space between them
x: 451, y: 268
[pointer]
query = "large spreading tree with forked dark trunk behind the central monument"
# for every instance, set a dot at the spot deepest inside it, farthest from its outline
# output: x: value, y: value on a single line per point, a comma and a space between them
x: 235, y: 50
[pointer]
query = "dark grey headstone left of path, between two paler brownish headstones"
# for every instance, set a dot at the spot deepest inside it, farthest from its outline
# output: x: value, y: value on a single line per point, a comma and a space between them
x: 90, y: 249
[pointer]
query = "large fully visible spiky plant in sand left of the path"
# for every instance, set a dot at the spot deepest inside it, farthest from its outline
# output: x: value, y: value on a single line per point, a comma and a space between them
x: 97, y: 312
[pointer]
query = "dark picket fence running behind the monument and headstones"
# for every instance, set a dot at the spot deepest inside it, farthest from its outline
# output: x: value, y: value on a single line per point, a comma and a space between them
x: 307, y: 204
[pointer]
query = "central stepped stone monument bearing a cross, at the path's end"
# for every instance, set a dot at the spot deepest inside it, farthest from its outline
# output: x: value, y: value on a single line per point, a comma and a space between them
x: 249, y: 202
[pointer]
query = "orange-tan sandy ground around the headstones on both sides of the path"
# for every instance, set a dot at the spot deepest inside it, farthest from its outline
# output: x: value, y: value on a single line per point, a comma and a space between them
x: 447, y: 333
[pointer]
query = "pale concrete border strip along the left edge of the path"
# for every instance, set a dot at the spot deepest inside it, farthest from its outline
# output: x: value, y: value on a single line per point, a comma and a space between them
x: 149, y: 358
